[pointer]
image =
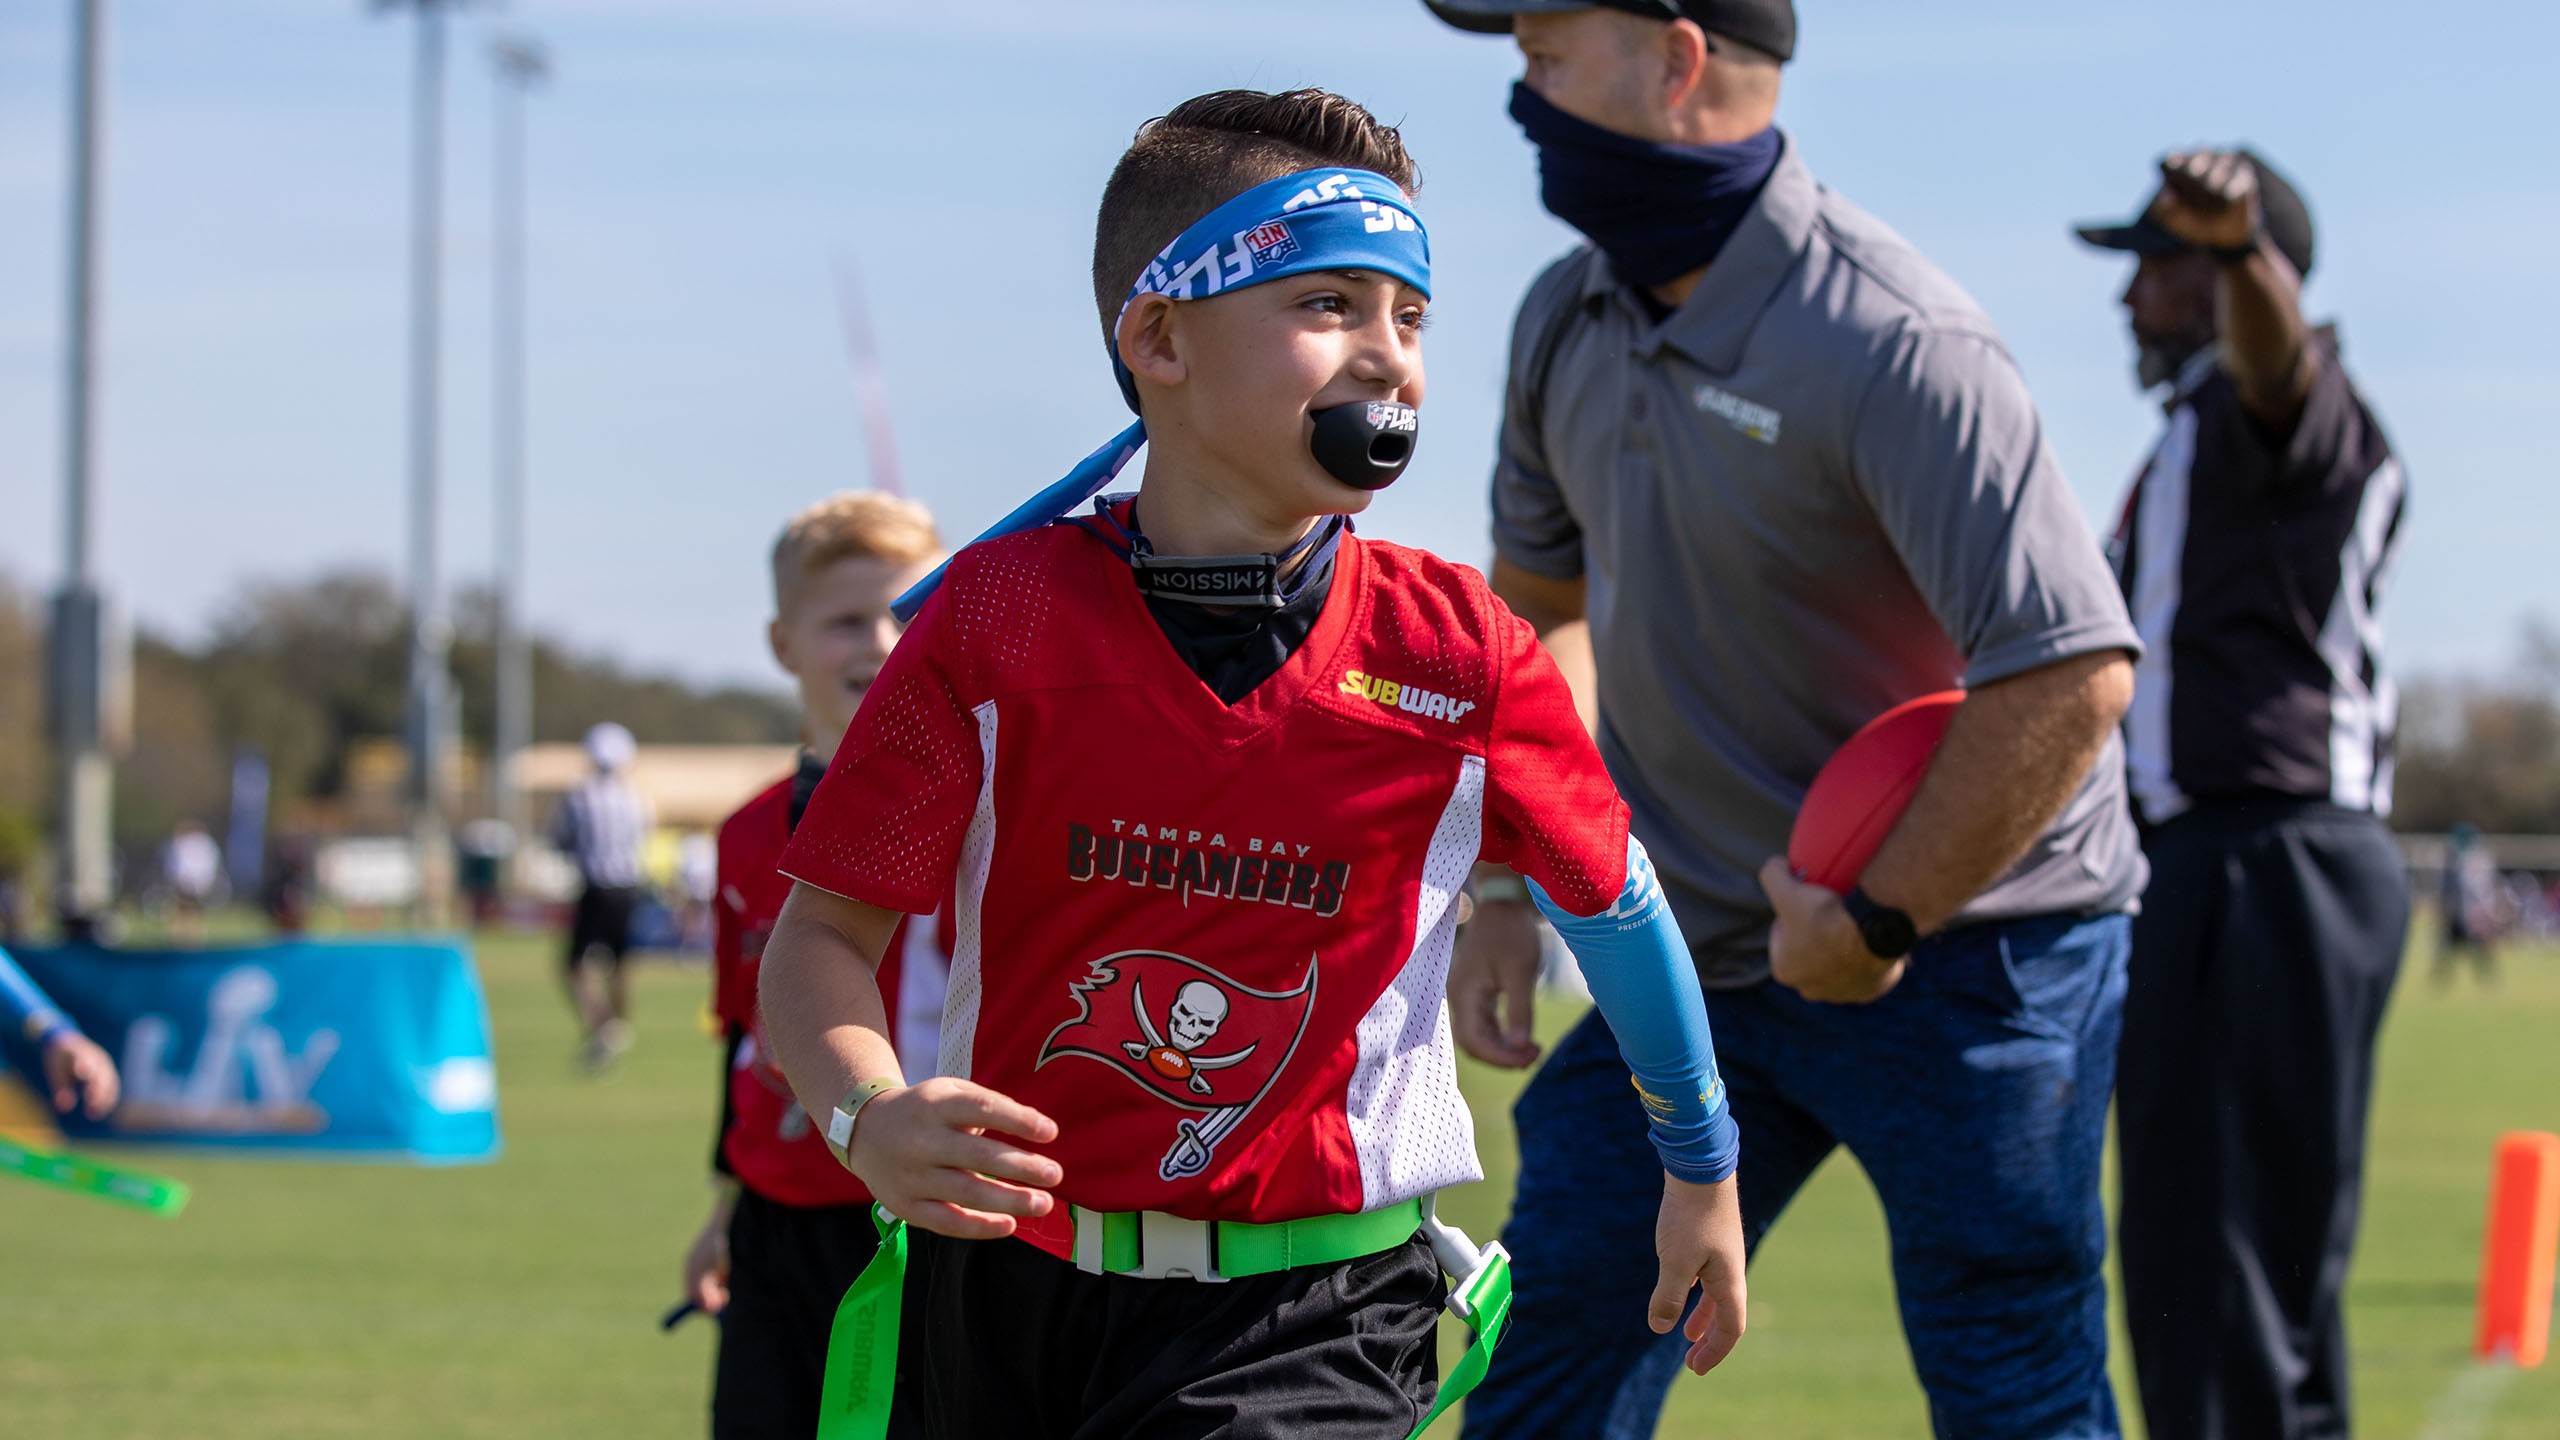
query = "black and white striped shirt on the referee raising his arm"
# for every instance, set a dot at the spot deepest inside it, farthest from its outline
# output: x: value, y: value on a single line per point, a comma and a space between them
x: 2254, y: 568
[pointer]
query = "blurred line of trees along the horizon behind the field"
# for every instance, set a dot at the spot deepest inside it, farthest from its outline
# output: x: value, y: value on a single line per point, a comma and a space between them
x: 303, y: 670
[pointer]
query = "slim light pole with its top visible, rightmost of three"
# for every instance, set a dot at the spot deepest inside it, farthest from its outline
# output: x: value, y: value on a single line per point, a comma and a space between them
x: 521, y: 65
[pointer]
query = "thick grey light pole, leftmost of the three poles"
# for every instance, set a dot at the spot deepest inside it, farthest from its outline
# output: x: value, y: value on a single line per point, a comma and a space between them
x: 78, y: 652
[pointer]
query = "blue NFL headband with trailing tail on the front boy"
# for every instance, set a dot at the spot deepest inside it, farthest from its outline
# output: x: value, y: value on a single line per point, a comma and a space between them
x: 1317, y: 219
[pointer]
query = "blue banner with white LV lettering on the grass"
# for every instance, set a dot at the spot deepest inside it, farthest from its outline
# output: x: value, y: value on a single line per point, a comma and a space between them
x: 367, y: 1049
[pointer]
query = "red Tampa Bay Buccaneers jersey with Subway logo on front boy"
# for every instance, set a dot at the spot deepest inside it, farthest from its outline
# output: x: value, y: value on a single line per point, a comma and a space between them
x: 1212, y: 942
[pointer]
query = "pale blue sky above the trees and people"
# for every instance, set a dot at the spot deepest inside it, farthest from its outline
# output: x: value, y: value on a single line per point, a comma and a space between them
x: 700, y: 168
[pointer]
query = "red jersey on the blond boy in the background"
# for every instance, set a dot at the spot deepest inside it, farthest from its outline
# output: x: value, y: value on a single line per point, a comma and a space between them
x: 769, y: 1139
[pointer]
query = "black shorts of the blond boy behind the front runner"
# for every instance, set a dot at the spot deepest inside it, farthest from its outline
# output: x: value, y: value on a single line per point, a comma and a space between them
x: 787, y: 1270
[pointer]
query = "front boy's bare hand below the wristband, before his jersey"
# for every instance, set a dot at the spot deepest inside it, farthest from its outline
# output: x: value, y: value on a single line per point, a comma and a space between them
x: 938, y: 1157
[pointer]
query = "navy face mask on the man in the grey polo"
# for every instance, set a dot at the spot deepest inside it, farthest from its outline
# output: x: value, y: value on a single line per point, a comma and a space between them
x: 1655, y: 211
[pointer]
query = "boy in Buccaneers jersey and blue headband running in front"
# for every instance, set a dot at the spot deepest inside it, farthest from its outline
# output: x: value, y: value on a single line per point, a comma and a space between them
x: 1210, y: 775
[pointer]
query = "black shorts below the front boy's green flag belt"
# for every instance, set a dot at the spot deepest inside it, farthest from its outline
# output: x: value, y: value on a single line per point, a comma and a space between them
x: 1005, y: 1341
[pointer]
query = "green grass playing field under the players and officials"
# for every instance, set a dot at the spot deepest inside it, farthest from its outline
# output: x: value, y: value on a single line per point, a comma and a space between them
x: 521, y: 1300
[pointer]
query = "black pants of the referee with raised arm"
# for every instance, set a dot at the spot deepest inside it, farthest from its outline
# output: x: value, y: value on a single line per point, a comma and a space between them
x: 2262, y: 962
